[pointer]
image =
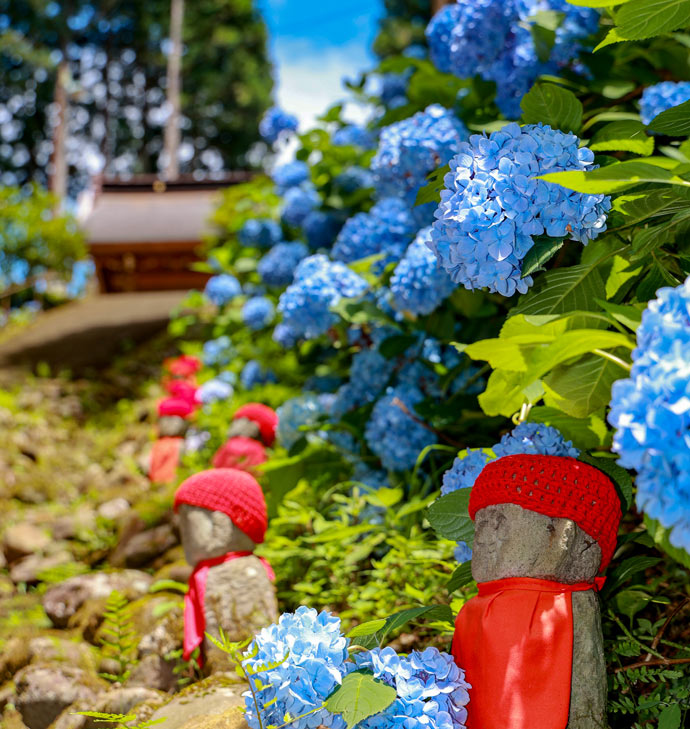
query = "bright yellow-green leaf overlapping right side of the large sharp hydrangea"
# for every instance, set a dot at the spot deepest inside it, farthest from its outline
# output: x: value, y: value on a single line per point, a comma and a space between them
x: 614, y: 178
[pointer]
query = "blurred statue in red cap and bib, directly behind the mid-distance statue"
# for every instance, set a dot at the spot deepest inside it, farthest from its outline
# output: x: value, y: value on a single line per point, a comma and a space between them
x: 253, y: 429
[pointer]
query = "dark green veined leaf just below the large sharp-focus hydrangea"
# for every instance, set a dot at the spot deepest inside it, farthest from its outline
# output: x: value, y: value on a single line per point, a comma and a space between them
x: 563, y: 290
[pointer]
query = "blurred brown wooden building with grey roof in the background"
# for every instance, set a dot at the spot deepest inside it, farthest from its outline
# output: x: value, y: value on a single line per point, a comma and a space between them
x: 144, y: 234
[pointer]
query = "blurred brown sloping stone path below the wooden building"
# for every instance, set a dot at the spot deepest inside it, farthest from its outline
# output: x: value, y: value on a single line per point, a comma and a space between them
x: 90, y: 332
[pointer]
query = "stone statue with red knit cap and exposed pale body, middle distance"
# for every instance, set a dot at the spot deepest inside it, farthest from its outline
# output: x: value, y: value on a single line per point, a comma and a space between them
x: 223, y: 517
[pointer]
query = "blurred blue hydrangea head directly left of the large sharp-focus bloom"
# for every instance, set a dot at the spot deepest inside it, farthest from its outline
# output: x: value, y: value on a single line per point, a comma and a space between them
x: 386, y: 229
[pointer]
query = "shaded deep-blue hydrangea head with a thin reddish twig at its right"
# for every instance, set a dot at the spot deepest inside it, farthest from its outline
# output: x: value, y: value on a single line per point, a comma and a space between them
x: 394, y: 432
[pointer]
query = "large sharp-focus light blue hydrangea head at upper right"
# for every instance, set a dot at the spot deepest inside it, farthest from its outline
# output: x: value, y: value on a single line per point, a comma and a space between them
x: 492, y: 207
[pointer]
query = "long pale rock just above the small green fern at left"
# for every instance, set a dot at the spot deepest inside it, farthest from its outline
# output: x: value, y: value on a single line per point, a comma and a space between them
x: 61, y: 602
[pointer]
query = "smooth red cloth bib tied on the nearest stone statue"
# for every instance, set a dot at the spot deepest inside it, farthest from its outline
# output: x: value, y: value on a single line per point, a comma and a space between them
x: 515, y: 643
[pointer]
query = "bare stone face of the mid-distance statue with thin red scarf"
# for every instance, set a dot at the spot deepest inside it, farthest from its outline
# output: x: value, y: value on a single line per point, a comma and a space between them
x: 207, y: 534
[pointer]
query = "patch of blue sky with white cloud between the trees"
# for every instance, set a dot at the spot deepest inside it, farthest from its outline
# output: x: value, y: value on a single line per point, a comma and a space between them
x: 314, y: 44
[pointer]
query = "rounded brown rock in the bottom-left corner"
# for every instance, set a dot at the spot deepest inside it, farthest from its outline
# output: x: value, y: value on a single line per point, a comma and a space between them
x: 44, y: 691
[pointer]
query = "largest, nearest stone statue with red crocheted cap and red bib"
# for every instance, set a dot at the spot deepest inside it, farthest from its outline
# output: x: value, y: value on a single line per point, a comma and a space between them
x: 531, y: 641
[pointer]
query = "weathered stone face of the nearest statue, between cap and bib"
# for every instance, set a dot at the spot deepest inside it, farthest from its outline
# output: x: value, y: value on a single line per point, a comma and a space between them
x: 511, y: 541
